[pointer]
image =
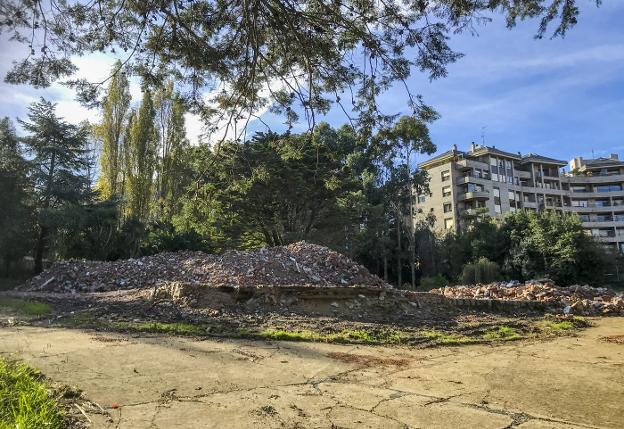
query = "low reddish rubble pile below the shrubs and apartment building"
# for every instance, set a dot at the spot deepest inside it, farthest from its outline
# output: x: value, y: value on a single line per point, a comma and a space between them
x: 581, y: 300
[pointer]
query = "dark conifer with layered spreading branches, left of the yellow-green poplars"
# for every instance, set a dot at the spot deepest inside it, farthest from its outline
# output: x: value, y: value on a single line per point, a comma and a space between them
x: 58, y: 165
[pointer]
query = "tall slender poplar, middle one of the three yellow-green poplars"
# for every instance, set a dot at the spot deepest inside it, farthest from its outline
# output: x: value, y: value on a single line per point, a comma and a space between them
x: 141, y: 160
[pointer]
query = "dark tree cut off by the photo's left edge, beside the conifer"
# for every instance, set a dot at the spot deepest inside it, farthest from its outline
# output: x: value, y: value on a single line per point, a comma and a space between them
x: 15, y: 210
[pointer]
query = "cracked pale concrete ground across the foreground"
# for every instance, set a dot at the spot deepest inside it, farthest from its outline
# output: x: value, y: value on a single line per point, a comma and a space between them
x: 171, y: 382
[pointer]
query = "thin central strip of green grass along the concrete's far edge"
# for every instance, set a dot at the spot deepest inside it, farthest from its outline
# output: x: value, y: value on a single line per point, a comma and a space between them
x: 345, y: 336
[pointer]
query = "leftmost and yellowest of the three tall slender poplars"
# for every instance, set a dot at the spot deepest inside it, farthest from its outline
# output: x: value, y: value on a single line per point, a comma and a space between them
x: 110, y: 132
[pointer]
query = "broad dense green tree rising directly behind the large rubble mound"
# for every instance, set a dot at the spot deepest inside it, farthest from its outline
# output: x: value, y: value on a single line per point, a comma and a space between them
x: 277, y: 189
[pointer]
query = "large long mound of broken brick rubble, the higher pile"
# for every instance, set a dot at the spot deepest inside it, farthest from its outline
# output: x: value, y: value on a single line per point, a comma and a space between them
x: 298, y: 264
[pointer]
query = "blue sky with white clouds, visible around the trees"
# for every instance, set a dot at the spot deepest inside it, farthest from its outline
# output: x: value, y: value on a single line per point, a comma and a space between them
x: 560, y: 97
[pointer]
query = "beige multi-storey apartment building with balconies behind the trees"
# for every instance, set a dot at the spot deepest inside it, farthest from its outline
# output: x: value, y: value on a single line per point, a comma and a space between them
x: 488, y: 180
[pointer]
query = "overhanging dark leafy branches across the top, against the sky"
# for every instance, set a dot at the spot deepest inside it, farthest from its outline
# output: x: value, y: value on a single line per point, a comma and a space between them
x: 307, y: 53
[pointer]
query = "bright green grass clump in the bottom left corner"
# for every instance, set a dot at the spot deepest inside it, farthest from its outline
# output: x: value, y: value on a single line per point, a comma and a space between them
x: 25, y: 400
